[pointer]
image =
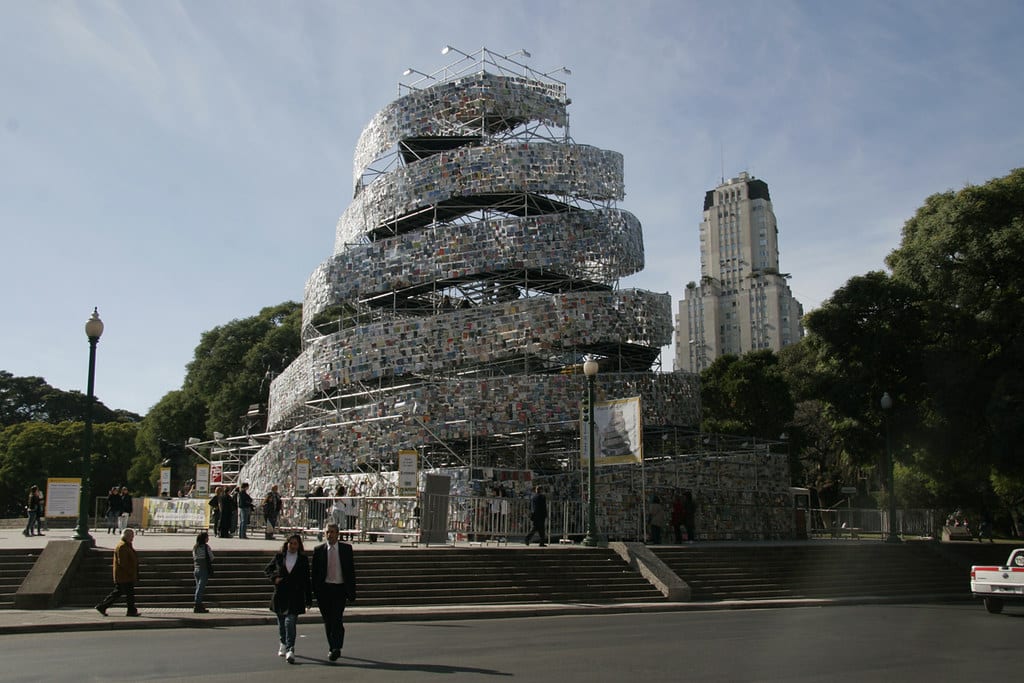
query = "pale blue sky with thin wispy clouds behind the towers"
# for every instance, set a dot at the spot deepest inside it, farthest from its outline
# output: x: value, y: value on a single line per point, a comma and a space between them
x: 184, y: 164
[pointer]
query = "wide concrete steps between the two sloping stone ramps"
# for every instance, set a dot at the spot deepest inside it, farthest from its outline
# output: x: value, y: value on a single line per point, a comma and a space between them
x: 396, y: 578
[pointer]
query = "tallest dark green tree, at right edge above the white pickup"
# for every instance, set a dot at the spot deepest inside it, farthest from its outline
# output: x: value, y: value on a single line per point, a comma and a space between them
x: 964, y: 253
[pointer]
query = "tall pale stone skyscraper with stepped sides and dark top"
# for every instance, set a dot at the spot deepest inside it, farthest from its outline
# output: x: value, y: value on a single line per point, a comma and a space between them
x: 743, y: 303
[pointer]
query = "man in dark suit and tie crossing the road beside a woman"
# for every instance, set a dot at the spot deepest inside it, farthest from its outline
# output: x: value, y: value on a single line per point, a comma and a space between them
x: 334, y: 585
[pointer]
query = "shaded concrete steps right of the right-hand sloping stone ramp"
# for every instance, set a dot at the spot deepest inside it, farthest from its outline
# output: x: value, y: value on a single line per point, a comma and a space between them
x: 828, y: 571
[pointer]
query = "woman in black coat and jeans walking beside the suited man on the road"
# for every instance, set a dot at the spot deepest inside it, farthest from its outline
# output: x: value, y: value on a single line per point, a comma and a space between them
x: 289, y: 571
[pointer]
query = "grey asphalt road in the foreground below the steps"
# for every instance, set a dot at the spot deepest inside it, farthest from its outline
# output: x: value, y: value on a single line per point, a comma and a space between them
x: 858, y: 644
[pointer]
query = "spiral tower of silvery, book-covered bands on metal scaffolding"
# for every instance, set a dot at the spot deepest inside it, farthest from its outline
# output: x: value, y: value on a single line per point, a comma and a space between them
x: 476, y: 270
